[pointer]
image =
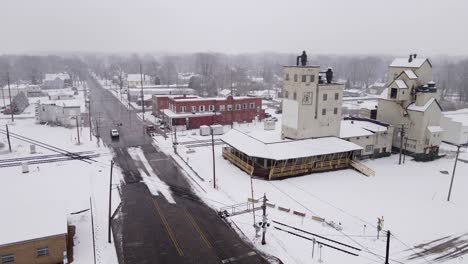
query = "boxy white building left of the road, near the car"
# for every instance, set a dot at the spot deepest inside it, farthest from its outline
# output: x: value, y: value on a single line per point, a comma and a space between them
x: 59, y: 112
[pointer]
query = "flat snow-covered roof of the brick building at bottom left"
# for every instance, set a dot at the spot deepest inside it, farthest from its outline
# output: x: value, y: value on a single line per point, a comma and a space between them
x: 29, y: 219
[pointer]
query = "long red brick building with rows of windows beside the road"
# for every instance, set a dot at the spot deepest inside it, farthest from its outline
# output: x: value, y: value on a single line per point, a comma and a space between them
x: 195, y: 112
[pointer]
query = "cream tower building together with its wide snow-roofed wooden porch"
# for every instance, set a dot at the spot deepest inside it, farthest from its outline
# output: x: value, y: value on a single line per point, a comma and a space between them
x: 309, y: 138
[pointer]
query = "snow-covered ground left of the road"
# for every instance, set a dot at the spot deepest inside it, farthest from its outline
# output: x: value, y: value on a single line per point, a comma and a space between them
x: 73, y: 184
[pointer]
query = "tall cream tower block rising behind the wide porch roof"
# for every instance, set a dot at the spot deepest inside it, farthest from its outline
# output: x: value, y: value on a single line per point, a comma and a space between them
x: 311, y: 104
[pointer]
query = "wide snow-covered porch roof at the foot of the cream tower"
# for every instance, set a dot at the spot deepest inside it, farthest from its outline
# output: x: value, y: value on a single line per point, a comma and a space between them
x: 286, y: 149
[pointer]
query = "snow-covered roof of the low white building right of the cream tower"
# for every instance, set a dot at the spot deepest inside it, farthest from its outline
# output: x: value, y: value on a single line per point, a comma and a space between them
x: 359, y: 128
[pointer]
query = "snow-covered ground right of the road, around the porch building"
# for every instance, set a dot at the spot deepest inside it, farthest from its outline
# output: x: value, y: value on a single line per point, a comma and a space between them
x: 412, y: 199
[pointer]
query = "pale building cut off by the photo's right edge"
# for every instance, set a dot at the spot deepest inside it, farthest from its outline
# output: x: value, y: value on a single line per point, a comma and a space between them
x: 455, y: 126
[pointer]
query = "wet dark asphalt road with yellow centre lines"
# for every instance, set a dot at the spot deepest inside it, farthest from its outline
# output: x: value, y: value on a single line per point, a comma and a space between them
x: 149, y: 229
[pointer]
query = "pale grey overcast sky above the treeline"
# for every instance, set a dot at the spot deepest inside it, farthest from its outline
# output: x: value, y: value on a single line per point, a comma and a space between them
x: 427, y: 27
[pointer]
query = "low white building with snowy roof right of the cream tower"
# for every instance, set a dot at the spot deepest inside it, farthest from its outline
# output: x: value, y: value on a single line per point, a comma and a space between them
x: 373, y: 136
